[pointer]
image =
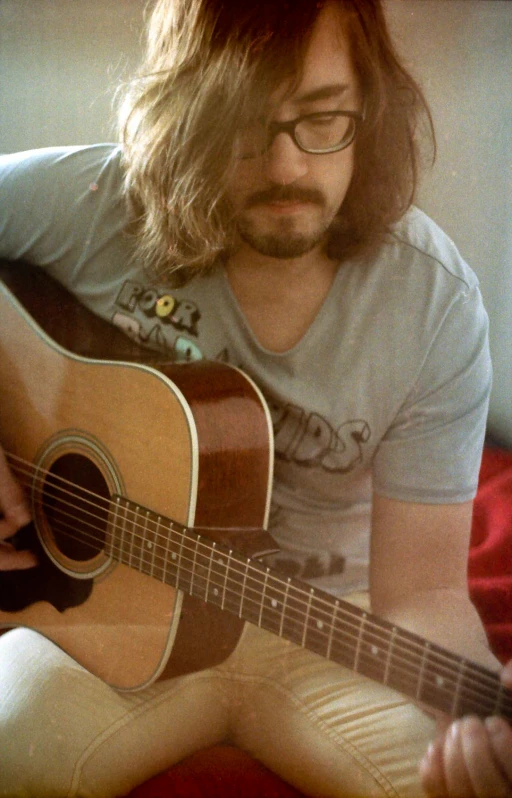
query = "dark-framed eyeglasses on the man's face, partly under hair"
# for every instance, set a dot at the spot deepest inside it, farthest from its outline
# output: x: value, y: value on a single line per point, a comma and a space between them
x: 317, y: 134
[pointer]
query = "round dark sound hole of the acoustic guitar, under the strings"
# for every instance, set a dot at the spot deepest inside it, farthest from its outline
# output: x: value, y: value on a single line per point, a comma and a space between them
x: 75, y: 499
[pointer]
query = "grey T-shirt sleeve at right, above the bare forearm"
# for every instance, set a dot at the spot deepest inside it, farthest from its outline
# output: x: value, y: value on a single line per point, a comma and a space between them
x: 432, y: 451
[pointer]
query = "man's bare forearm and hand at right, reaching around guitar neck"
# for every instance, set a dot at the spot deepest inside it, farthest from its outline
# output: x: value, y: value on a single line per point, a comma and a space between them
x: 419, y: 580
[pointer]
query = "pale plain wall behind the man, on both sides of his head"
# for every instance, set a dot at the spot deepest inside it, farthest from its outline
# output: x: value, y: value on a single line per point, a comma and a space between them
x: 61, y: 59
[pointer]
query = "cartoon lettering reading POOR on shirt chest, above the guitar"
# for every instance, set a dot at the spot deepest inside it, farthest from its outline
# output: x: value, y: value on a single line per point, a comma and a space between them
x: 159, y: 310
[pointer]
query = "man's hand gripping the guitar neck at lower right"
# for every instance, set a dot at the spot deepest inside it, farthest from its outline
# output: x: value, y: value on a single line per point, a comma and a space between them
x: 471, y: 758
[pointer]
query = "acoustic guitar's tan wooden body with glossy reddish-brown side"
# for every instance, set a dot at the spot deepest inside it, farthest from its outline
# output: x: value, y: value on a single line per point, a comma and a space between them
x: 191, y: 442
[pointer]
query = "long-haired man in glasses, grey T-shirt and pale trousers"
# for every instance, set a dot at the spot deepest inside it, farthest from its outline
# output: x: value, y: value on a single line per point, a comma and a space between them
x: 268, y: 161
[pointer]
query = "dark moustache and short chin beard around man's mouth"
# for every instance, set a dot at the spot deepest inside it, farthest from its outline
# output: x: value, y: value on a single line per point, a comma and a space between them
x: 285, y: 240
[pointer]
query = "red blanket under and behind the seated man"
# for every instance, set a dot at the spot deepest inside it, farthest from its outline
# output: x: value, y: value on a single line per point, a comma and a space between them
x: 224, y: 772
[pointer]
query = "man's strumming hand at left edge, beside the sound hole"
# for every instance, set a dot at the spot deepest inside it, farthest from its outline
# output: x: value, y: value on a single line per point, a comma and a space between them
x: 15, y: 514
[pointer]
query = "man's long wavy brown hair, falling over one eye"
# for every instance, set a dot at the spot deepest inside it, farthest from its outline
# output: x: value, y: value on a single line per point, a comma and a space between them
x: 212, y: 63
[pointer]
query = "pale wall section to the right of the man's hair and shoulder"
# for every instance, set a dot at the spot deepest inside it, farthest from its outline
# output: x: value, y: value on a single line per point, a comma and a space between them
x: 462, y: 52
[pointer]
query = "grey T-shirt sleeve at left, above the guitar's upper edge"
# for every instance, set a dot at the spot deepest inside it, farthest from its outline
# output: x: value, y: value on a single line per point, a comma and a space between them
x: 59, y: 206
